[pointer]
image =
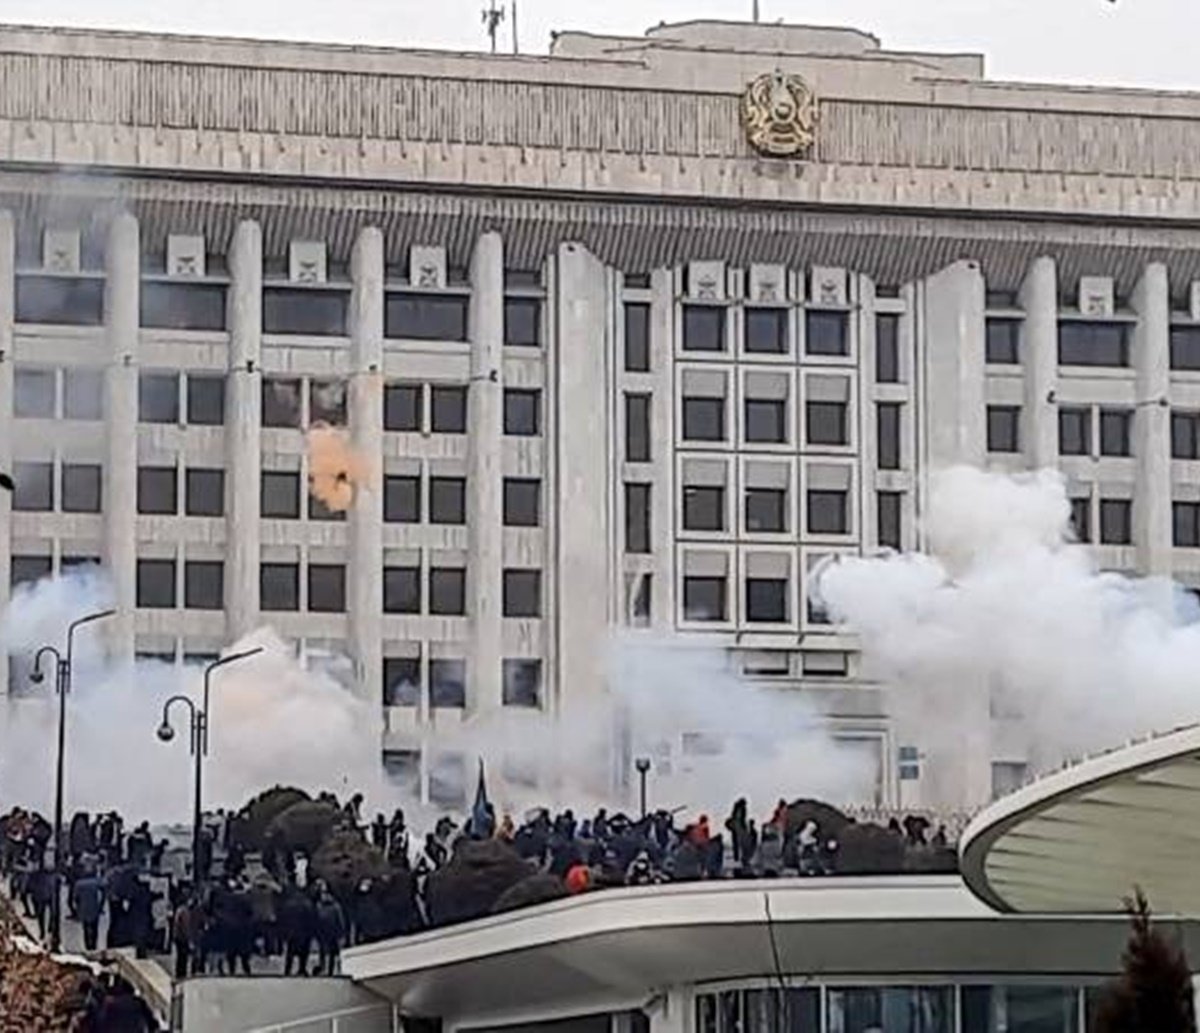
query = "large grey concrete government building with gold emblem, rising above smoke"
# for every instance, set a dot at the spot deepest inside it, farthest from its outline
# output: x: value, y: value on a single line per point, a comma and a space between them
x: 634, y: 335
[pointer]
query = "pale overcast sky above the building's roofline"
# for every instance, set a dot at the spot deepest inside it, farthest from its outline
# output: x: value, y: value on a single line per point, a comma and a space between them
x: 1129, y: 43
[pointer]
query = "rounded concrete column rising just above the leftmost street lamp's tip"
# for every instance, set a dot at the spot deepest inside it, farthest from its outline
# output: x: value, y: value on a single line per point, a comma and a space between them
x: 122, y: 292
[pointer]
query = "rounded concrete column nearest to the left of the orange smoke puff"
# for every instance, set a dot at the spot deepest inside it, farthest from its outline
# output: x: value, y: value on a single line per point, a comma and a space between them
x: 244, y: 423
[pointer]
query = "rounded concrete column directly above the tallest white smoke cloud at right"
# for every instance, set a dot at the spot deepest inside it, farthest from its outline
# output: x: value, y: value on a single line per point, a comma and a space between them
x: 1040, y: 358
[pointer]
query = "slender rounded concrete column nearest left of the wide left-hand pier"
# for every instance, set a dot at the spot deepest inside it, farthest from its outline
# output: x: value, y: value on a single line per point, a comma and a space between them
x: 485, y: 524
